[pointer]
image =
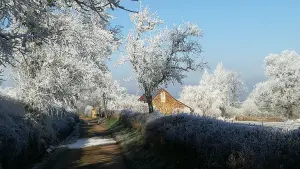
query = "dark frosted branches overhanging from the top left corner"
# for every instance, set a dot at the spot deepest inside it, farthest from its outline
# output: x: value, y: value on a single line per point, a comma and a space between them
x: 23, y: 22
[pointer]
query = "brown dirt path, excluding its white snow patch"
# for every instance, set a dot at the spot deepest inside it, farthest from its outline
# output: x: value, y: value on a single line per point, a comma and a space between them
x: 106, y: 156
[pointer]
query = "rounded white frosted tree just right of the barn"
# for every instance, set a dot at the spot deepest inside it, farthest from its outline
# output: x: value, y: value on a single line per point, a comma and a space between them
x: 216, y: 92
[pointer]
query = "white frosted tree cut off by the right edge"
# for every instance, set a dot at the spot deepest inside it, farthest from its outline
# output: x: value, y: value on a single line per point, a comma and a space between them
x: 280, y: 93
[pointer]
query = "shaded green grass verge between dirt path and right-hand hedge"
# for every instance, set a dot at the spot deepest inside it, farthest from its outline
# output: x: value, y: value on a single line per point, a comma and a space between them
x: 131, y: 139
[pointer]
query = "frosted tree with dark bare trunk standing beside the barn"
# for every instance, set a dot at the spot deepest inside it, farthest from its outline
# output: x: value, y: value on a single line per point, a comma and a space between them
x: 161, y: 56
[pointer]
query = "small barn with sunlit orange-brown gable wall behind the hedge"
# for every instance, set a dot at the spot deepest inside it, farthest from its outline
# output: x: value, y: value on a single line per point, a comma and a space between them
x: 164, y: 102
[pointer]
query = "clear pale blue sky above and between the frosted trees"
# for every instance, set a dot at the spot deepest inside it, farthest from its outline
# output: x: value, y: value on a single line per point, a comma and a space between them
x: 239, y: 33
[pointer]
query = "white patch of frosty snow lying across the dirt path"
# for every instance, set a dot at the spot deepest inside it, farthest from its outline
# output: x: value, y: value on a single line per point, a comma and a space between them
x: 88, y: 142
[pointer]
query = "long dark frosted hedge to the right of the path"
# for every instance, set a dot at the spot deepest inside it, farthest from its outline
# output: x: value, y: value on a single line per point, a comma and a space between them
x: 202, y: 142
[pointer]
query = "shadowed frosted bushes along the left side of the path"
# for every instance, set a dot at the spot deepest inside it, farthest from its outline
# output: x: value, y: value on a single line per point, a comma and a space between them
x: 25, y: 136
